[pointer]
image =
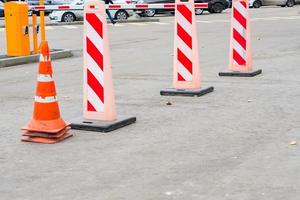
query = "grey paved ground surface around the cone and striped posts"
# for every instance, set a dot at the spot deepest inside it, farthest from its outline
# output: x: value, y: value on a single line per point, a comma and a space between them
x: 232, y: 144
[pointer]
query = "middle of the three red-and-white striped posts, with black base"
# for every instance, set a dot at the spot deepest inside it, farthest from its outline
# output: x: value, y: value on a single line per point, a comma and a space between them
x: 186, y: 73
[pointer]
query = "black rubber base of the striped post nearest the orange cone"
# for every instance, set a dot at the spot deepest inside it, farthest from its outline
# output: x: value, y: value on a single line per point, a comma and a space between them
x: 102, y: 126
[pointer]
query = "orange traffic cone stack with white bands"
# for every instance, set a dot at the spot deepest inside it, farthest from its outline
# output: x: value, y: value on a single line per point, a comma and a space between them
x: 46, y: 125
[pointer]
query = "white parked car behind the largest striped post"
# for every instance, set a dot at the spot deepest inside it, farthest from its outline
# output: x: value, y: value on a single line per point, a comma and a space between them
x: 77, y: 15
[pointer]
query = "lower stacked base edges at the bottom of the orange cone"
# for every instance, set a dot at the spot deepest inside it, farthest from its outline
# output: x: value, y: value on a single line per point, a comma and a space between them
x: 45, y: 140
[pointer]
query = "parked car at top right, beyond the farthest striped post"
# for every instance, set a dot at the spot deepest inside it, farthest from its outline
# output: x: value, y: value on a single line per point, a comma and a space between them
x: 259, y: 3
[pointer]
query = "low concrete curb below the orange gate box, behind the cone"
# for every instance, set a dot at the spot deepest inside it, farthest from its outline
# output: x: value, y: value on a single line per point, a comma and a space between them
x: 55, y: 54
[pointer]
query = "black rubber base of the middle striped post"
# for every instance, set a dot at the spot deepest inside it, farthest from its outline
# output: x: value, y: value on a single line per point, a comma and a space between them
x: 186, y: 92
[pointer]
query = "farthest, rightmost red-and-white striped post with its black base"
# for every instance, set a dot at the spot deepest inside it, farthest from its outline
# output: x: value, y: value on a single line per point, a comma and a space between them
x: 240, y: 56
